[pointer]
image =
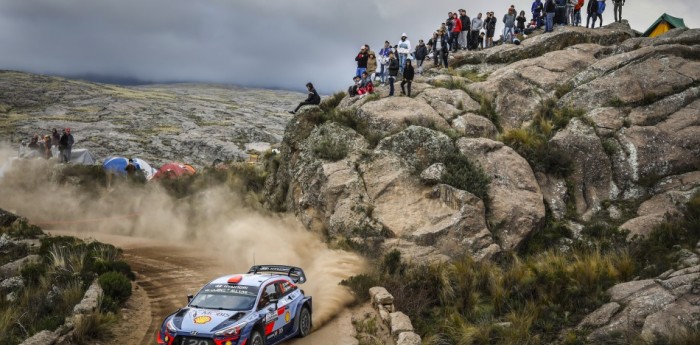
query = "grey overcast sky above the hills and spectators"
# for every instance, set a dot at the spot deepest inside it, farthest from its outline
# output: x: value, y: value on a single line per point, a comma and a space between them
x: 262, y: 43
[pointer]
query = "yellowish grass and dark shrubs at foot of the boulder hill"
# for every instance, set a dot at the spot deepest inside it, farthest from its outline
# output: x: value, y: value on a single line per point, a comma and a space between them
x: 529, y: 297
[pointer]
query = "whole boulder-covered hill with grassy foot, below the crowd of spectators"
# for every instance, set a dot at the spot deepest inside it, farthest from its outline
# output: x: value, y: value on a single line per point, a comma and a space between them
x: 511, y: 191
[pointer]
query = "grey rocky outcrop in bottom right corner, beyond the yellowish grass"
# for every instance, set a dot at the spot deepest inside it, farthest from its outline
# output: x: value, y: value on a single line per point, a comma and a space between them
x: 658, y: 309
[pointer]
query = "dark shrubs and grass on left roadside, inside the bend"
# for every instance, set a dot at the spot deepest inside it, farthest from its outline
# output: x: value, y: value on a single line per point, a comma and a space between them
x: 56, y: 281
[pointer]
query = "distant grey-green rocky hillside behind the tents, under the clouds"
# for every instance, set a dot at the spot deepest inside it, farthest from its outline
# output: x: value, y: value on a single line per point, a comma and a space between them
x: 193, y: 123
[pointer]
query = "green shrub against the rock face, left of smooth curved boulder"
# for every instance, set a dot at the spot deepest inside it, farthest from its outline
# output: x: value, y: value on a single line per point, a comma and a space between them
x: 462, y: 174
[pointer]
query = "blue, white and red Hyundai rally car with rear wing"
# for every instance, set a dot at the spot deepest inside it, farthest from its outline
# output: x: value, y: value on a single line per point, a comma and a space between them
x: 263, y: 307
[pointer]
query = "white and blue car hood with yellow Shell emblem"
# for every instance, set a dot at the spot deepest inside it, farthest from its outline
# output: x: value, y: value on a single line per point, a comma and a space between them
x: 206, y: 320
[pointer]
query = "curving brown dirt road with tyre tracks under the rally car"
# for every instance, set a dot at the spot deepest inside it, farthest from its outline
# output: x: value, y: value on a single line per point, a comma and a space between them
x: 167, y: 273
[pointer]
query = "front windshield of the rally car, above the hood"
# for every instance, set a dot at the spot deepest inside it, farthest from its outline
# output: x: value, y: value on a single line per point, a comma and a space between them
x: 226, y: 297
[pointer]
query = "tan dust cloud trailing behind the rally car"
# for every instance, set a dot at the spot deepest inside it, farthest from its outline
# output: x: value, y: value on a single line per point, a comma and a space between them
x: 215, y: 221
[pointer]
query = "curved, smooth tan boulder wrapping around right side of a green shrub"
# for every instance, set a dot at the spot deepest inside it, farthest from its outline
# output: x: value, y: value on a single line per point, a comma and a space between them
x: 517, y: 206
